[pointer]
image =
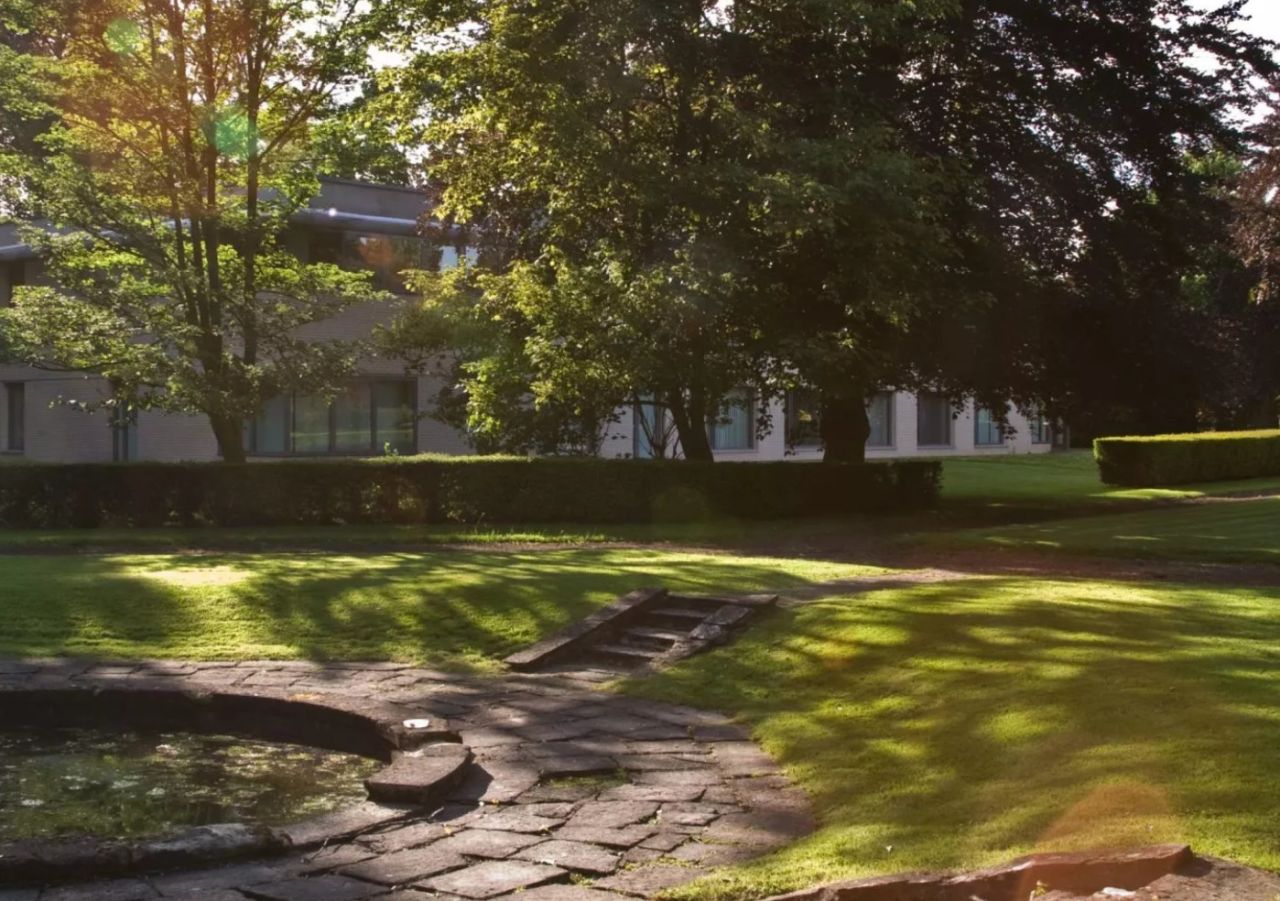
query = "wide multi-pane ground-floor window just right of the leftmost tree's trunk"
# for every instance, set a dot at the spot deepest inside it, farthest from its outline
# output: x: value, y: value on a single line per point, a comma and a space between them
x: 367, y: 418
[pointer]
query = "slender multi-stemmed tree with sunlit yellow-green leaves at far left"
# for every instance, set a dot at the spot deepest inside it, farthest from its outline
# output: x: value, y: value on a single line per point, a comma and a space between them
x: 175, y: 143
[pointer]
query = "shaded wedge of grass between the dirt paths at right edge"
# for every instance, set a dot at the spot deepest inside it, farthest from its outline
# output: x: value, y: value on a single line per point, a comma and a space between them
x: 1237, y: 532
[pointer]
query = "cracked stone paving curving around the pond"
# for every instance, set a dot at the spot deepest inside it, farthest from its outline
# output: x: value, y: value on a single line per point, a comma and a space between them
x: 574, y: 795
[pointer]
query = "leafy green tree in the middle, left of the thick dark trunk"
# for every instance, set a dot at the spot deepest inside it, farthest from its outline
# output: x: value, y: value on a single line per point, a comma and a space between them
x: 634, y: 190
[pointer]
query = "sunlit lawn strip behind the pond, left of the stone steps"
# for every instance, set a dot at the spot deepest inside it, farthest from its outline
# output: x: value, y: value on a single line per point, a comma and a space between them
x: 447, y: 609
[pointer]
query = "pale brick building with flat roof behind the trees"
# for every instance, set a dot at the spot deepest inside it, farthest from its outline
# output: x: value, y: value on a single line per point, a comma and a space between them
x: 386, y: 409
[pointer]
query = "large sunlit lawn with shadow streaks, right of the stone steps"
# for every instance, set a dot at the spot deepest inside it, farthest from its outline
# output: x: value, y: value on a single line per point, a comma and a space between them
x: 961, y: 725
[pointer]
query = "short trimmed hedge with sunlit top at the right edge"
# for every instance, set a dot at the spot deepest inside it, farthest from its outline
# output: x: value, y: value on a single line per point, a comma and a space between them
x: 1178, y: 460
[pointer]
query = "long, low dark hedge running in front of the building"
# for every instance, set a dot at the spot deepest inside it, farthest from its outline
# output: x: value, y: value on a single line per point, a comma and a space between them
x: 450, y: 490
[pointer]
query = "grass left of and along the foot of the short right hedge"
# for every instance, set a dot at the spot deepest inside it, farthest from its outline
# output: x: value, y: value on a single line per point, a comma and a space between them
x: 1068, y: 479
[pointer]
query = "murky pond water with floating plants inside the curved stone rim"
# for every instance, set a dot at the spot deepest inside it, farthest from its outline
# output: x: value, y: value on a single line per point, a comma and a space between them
x: 131, y: 785
